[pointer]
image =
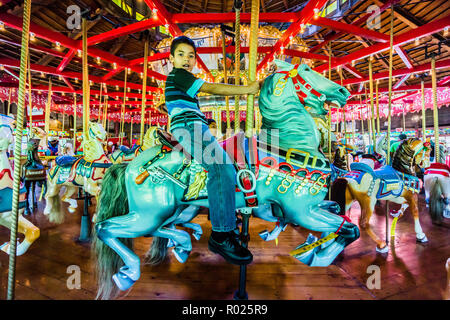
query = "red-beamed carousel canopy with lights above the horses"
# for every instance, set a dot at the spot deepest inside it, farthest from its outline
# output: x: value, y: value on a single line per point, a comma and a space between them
x: 297, y: 31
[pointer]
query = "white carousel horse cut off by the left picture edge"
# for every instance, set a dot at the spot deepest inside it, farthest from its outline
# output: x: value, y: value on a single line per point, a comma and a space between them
x: 30, y: 231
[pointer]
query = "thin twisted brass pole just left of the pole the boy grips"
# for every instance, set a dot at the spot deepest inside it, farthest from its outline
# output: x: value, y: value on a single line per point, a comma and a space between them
x: 237, y: 63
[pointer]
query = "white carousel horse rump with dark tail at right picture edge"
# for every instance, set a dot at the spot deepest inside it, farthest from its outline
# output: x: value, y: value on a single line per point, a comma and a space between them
x: 437, y: 188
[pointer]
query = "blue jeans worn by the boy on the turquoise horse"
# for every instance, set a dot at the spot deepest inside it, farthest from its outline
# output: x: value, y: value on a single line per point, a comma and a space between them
x: 198, y: 141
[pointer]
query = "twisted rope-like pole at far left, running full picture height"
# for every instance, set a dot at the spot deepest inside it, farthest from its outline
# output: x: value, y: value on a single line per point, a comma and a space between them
x: 17, y: 150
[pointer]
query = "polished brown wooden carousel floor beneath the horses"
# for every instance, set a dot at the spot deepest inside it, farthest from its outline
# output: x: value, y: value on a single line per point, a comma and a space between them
x: 408, y: 271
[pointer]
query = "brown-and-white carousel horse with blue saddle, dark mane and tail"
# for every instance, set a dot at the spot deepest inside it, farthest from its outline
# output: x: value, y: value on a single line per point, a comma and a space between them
x: 397, y: 184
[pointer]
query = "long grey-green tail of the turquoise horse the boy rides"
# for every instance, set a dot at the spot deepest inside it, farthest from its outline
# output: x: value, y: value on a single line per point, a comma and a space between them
x: 113, y: 202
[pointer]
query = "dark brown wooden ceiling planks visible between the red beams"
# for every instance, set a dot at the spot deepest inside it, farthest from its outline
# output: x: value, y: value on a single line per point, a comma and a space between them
x: 51, y: 14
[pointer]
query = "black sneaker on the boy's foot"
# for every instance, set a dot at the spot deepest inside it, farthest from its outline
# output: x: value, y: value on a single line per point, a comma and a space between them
x: 231, y: 250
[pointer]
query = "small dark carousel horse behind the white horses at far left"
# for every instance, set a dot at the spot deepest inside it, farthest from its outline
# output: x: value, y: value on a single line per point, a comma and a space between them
x: 34, y: 173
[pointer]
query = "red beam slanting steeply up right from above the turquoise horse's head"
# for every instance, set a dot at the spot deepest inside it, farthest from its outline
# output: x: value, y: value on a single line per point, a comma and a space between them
x: 306, y: 15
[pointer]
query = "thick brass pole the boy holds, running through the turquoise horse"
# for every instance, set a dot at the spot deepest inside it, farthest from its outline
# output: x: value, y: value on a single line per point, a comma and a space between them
x: 241, y: 294
